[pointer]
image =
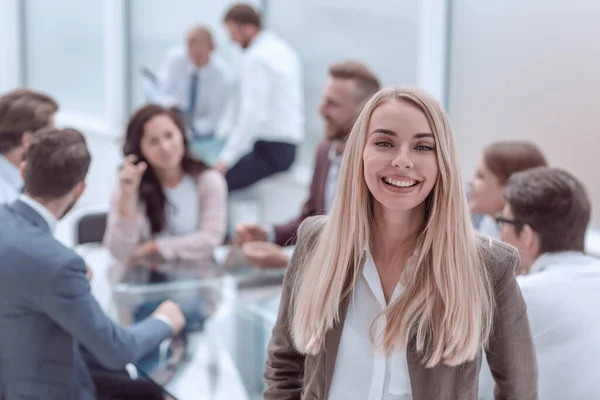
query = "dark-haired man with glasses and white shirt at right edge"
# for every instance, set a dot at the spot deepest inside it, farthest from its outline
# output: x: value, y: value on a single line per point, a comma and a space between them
x: 546, y: 216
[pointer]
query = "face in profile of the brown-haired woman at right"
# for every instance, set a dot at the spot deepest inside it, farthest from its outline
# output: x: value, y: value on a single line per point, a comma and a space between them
x: 487, y: 193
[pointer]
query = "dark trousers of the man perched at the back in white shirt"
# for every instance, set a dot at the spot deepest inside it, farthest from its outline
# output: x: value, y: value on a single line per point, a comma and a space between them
x: 266, y: 159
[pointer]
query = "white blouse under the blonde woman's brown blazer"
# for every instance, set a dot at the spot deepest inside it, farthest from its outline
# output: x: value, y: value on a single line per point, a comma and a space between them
x: 362, y: 371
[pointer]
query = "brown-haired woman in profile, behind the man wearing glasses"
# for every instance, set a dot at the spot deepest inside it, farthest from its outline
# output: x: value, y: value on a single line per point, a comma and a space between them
x: 498, y: 162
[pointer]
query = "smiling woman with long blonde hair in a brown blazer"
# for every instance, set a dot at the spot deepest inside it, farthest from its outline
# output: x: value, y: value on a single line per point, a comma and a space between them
x: 394, y: 296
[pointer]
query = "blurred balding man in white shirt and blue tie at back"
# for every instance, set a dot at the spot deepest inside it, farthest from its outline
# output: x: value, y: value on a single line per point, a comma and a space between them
x: 199, y: 85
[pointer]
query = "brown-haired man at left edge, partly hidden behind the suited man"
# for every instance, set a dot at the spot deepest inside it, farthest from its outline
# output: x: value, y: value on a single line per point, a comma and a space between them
x: 22, y: 113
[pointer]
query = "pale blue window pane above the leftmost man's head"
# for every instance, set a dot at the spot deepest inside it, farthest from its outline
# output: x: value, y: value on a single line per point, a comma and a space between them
x: 58, y: 60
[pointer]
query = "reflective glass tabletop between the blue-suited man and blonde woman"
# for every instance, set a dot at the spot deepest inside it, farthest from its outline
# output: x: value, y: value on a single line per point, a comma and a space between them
x: 229, y: 306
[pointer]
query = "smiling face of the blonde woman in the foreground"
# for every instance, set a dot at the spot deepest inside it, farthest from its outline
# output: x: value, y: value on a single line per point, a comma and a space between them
x: 400, y: 162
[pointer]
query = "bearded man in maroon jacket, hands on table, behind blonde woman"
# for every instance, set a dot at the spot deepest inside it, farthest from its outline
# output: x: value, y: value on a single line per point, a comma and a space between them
x: 348, y: 88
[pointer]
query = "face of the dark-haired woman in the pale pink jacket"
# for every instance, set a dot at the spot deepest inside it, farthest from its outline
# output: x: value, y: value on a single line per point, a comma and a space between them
x: 162, y: 143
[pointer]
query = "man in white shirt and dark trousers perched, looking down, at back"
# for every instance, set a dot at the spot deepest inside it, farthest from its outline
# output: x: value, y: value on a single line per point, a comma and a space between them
x: 270, y: 120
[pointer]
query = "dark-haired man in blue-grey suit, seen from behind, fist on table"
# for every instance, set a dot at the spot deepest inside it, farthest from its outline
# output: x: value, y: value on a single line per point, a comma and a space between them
x: 47, y: 312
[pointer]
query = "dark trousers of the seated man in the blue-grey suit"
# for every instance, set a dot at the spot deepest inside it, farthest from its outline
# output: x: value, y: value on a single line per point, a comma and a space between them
x: 119, y: 386
